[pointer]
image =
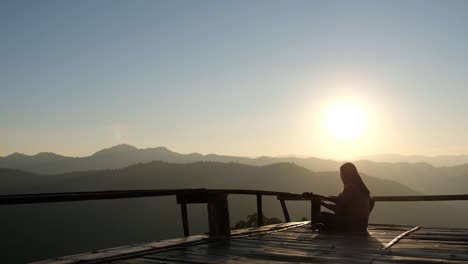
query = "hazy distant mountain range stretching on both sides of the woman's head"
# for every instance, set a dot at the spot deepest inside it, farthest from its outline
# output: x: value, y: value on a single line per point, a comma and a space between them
x: 422, y: 177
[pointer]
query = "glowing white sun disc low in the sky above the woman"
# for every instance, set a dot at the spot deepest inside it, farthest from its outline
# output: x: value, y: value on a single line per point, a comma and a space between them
x: 346, y: 121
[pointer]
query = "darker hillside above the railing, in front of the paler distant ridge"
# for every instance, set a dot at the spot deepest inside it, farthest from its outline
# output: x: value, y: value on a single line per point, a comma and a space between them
x: 156, y: 174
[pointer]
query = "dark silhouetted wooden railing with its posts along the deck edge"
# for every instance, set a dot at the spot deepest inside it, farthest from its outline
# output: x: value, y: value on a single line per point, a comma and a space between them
x: 216, y: 200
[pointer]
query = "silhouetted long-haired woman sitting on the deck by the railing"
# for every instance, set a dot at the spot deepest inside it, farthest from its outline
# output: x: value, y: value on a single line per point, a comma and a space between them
x: 351, y: 208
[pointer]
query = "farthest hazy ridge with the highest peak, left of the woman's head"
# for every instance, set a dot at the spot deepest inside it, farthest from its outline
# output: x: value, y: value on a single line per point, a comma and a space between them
x: 123, y: 155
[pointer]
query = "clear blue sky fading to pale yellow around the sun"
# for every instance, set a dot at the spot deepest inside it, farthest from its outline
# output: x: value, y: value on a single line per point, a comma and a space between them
x: 233, y: 77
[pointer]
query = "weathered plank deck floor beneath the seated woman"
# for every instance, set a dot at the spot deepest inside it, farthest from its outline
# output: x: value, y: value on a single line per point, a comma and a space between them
x: 294, y: 243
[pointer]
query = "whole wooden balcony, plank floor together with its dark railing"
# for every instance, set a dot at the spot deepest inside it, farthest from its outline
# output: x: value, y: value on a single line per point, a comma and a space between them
x: 290, y: 242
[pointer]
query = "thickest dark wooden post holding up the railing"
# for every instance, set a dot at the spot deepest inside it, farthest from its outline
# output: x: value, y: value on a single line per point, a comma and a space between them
x: 218, y: 214
